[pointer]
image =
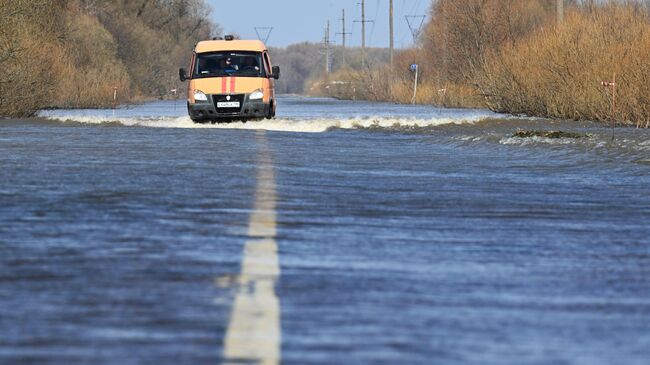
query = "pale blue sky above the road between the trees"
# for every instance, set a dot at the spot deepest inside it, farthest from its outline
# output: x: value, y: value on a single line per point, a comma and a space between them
x: 296, y: 21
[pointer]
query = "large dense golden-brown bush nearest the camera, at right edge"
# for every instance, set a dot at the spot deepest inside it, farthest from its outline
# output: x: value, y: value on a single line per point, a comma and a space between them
x: 557, y: 72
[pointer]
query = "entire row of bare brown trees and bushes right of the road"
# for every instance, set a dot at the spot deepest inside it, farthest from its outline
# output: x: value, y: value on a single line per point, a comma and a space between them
x: 516, y: 56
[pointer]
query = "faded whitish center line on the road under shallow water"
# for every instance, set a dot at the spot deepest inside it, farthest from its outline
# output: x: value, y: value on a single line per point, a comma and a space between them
x: 254, y: 334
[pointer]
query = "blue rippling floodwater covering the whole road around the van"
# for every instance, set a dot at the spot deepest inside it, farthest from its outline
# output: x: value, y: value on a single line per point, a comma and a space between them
x: 339, y: 233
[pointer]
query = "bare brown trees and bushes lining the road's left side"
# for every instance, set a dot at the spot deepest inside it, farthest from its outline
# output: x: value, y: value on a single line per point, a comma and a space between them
x: 75, y: 53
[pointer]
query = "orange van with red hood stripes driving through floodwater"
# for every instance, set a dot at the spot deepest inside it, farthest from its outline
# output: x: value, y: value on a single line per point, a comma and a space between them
x: 230, y: 80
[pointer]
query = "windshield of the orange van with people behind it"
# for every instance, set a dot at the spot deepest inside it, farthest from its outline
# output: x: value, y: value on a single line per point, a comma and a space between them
x: 216, y: 64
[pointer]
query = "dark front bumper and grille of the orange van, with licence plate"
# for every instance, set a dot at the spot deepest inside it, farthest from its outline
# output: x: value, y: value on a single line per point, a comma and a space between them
x: 202, y: 111
